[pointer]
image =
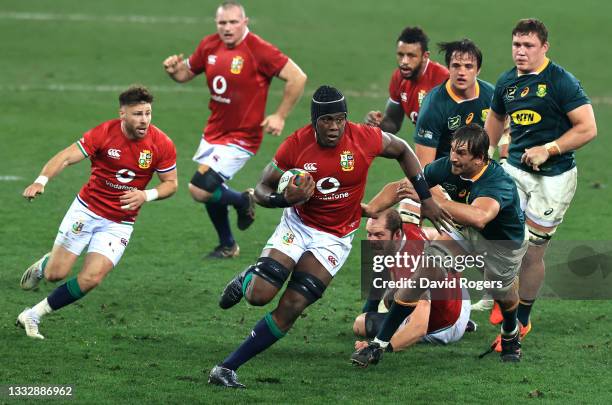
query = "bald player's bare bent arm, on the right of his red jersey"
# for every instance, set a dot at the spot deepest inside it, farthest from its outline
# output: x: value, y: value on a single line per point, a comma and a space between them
x: 295, y: 80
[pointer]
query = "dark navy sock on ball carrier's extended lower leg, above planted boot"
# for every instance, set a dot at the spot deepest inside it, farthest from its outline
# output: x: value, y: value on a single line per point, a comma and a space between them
x: 264, y: 334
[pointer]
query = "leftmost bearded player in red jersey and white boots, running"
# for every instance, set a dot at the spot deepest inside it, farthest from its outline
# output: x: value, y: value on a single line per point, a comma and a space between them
x: 124, y: 155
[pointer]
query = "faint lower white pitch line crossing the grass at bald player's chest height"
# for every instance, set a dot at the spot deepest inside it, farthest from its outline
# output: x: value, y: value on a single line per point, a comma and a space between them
x: 106, y: 88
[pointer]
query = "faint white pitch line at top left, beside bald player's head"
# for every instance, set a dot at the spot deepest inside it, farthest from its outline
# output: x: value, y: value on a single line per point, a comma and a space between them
x: 142, y: 19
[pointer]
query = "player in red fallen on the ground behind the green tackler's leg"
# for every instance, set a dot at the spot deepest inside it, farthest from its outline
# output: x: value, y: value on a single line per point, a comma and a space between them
x: 442, y: 319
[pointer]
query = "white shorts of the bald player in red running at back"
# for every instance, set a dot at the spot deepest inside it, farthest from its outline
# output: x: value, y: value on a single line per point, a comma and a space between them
x: 226, y: 160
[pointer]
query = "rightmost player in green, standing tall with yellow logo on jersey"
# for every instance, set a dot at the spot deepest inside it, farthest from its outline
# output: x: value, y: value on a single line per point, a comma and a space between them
x: 551, y: 117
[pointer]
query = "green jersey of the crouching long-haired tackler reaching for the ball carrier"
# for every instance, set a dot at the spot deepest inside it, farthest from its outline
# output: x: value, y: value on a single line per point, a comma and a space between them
x: 492, y: 182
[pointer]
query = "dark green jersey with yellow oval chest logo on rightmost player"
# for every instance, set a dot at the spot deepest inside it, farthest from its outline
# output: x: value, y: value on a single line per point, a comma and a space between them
x: 537, y: 104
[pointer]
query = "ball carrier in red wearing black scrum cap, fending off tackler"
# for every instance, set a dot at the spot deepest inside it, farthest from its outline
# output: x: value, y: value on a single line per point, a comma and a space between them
x: 321, y: 214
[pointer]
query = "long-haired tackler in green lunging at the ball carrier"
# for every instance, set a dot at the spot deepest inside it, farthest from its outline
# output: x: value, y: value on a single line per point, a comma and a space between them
x: 484, y: 199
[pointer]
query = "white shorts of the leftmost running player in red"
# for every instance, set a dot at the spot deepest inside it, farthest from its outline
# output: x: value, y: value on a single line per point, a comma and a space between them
x: 81, y: 227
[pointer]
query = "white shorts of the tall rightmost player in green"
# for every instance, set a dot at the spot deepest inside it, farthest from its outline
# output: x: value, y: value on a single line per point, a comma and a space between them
x: 545, y: 199
